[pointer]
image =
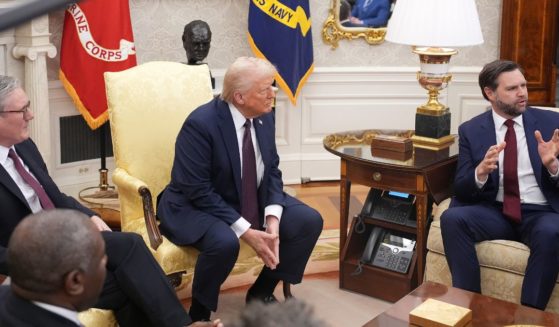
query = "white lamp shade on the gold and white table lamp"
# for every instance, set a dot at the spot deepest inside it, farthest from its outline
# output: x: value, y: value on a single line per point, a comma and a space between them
x: 435, y: 23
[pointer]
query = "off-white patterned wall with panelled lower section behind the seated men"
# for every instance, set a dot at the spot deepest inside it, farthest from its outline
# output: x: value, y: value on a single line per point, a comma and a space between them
x: 356, y: 86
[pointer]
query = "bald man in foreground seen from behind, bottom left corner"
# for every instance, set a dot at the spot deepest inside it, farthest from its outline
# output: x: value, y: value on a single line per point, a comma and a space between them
x: 52, y: 278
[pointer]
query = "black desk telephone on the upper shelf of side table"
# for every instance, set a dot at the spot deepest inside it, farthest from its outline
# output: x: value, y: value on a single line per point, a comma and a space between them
x: 394, y: 207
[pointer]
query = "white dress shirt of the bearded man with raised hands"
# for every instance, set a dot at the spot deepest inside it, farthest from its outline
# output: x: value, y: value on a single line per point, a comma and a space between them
x: 530, y: 192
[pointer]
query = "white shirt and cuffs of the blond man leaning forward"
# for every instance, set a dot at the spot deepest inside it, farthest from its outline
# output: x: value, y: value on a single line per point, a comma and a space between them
x: 242, y: 225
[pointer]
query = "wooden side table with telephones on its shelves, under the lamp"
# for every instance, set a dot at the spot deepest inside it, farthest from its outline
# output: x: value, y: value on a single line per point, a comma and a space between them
x: 428, y: 175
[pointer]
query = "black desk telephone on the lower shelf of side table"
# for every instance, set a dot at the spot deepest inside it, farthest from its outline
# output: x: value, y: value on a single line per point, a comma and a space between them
x: 388, y: 251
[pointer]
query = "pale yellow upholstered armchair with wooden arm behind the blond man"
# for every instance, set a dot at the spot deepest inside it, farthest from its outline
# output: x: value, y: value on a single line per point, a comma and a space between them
x: 147, y: 107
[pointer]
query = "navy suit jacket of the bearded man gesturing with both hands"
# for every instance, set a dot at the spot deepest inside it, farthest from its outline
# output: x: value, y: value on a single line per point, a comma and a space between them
x: 478, y: 134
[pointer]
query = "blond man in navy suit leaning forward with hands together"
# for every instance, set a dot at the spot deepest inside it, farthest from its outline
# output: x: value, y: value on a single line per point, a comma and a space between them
x: 226, y: 184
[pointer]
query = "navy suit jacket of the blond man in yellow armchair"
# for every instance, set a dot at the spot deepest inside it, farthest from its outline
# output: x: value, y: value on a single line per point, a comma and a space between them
x: 206, y: 177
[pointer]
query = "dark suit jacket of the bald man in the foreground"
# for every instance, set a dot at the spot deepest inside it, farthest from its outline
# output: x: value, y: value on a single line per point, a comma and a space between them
x: 18, y: 312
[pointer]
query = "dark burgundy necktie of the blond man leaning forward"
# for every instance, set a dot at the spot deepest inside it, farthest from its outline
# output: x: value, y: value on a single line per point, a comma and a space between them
x: 249, y: 206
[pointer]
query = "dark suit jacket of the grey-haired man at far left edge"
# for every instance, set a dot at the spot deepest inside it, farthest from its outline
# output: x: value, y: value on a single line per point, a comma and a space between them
x: 13, y: 207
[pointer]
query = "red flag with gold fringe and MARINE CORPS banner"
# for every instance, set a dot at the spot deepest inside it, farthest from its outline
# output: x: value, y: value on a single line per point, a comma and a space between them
x: 97, y: 38
